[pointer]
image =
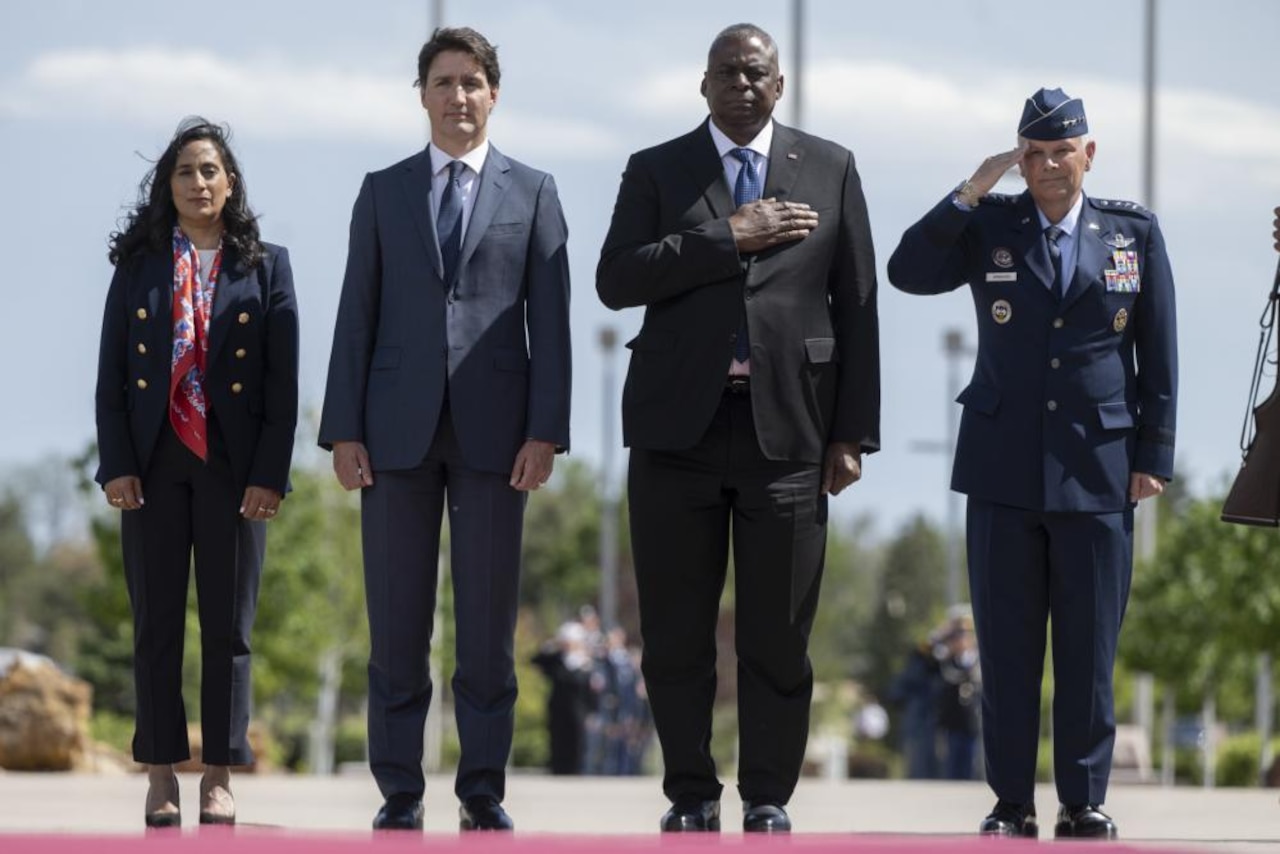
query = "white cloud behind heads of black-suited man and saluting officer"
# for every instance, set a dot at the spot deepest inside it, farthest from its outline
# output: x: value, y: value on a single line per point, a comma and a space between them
x: 899, y: 115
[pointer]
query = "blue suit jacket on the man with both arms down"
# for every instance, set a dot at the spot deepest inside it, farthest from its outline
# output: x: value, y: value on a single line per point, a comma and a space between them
x: 496, y: 339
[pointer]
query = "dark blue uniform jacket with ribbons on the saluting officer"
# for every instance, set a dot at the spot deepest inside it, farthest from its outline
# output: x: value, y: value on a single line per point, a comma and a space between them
x: 1072, y: 394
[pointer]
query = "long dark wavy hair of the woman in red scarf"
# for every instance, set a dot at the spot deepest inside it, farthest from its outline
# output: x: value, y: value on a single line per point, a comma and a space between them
x: 150, y: 223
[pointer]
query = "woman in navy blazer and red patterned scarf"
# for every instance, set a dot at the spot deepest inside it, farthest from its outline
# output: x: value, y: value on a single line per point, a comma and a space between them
x: 198, y: 392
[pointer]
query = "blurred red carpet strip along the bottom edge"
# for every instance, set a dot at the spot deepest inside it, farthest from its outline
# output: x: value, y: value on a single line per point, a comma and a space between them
x: 249, y: 841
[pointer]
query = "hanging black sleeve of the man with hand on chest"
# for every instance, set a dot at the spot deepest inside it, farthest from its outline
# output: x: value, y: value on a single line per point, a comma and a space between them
x: 856, y: 314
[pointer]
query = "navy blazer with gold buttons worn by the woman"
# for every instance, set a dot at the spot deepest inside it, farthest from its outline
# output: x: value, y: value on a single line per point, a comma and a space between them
x: 252, y: 380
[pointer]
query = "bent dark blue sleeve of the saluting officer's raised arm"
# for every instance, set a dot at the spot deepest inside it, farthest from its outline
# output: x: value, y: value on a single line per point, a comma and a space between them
x: 931, y: 257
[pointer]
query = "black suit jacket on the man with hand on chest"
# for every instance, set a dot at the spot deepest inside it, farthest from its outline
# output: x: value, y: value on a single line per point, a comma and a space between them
x: 811, y: 304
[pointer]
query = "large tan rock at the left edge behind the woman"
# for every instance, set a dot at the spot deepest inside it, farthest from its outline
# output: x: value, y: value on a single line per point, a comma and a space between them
x: 44, y: 715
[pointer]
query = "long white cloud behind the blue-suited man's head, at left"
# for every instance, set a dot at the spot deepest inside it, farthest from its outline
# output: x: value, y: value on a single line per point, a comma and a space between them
x: 158, y: 86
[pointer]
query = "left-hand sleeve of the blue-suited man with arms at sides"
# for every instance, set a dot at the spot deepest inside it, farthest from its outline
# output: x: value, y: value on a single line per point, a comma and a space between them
x: 356, y: 328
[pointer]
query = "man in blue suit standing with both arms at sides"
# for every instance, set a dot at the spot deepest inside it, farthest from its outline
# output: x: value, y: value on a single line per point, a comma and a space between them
x: 449, y: 383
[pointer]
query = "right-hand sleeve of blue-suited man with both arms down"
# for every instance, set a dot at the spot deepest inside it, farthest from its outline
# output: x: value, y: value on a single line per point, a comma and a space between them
x: 547, y: 309
